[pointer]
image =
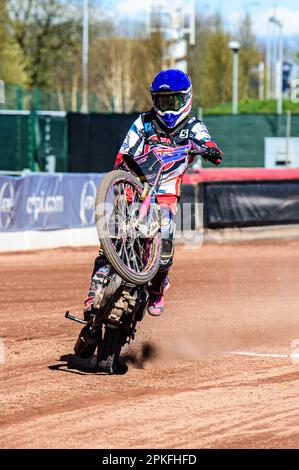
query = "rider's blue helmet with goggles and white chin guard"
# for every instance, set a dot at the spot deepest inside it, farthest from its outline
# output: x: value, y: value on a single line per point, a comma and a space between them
x: 171, y: 92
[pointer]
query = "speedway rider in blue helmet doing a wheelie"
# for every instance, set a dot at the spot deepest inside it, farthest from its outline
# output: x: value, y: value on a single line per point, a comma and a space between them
x: 170, y: 123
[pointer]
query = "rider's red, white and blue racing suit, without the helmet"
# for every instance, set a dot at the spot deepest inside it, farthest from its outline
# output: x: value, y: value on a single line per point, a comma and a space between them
x: 145, y: 132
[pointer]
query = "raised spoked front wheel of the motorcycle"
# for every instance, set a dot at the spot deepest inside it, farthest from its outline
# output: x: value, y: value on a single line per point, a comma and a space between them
x: 133, y: 253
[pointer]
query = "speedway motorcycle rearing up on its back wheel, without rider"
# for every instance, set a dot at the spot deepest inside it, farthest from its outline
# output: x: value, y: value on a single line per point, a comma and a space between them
x: 128, y: 224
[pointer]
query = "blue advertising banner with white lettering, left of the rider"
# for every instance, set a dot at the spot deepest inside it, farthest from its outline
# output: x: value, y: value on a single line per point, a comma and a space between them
x: 47, y: 201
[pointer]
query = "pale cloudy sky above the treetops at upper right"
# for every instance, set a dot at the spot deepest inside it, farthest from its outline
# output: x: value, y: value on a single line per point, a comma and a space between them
x: 287, y: 11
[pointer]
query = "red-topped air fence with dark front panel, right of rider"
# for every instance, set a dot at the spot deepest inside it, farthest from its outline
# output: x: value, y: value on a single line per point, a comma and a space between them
x: 240, y: 197
